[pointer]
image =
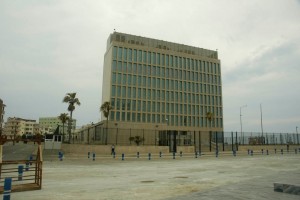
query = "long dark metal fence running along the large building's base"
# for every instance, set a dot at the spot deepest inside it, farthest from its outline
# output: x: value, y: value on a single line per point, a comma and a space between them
x: 201, y: 140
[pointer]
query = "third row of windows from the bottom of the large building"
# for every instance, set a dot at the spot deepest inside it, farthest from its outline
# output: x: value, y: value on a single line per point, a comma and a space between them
x: 165, y: 95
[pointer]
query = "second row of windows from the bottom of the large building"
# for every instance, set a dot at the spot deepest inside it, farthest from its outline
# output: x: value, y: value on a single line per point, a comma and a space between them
x: 163, y: 107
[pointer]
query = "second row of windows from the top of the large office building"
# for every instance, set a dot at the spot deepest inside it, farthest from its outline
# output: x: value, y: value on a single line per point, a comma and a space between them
x: 170, y: 73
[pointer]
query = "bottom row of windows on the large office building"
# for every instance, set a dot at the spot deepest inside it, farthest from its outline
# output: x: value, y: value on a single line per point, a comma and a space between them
x: 172, y: 120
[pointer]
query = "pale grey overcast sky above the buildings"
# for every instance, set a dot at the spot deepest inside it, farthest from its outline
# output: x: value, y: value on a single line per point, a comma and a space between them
x: 51, y: 47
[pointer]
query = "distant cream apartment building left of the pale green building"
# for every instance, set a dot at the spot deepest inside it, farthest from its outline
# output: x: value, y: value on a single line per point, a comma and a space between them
x: 17, y: 126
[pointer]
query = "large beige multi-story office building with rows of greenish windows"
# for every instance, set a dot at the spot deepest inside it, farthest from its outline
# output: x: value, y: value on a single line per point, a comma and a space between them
x: 163, y: 86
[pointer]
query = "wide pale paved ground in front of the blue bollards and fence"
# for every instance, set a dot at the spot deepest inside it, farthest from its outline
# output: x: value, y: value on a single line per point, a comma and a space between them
x: 207, y: 177
